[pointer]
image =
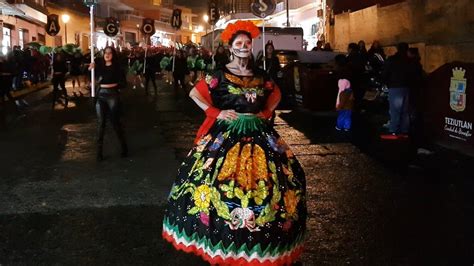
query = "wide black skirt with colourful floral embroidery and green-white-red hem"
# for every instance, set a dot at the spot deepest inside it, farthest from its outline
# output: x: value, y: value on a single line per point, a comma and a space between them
x: 239, y: 198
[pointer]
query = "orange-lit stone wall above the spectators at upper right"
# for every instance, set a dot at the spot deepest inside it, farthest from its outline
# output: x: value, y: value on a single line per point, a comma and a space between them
x: 442, y: 30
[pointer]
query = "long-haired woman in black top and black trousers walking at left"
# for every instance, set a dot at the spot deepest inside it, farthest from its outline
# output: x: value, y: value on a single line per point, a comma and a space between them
x: 111, y: 79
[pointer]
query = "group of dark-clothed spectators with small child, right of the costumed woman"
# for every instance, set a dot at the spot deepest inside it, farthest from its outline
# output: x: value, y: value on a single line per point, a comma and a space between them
x: 401, y: 75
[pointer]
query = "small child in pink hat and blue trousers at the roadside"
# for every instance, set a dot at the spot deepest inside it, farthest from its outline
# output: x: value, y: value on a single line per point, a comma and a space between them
x: 344, y: 105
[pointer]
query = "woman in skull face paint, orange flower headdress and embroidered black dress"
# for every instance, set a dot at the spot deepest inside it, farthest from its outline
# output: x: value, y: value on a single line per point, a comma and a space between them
x: 240, y: 195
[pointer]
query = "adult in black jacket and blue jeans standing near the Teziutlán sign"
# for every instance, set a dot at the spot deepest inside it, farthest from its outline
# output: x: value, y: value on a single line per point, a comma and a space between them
x: 397, y: 74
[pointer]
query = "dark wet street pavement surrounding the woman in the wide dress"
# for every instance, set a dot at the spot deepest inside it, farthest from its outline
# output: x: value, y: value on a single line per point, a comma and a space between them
x: 366, y: 206
